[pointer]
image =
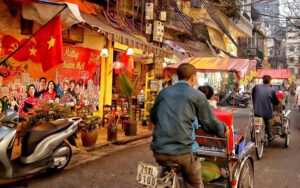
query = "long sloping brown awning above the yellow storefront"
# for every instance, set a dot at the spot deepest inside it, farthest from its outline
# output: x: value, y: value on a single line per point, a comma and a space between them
x: 121, y: 37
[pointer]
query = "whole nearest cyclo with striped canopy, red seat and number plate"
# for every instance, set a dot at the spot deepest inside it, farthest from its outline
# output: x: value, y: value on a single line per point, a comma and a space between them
x: 230, y: 156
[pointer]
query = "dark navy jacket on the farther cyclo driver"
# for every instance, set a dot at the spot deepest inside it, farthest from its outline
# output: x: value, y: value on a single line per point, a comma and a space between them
x: 264, y: 98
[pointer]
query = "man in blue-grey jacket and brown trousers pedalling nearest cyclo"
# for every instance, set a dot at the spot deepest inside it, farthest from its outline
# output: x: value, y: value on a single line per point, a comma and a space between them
x: 175, y: 115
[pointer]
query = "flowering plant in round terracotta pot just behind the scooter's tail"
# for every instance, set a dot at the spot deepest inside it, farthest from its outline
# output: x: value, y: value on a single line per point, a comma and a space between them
x: 88, y: 126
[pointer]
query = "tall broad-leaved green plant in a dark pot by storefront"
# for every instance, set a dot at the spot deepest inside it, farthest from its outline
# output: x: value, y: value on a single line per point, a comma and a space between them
x: 127, y: 89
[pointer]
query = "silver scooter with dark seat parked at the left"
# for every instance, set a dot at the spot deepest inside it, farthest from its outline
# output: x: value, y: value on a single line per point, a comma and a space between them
x: 43, y: 147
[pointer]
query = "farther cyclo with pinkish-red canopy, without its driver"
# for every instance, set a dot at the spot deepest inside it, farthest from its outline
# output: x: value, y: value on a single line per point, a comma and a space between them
x: 280, y: 123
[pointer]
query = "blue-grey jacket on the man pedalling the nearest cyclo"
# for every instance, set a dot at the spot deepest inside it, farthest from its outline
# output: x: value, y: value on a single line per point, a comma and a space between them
x: 175, y: 114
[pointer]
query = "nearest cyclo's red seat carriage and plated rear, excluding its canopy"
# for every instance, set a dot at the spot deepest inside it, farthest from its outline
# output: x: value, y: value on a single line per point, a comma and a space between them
x: 226, y: 162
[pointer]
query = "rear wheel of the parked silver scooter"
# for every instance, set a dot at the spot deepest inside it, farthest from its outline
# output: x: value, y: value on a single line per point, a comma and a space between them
x: 63, y: 160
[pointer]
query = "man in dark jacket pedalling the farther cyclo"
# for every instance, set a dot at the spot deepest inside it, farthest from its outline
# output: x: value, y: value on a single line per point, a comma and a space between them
x: 264, y: 98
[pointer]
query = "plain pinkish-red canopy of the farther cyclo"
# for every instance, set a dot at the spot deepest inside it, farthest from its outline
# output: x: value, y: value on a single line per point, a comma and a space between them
x: 274, y: 73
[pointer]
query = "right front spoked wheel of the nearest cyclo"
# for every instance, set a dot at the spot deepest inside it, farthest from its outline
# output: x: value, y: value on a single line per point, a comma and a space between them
x: 246, y: 177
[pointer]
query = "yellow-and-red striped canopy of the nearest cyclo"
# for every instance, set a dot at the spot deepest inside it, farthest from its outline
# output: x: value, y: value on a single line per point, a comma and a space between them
x: 217, y: 64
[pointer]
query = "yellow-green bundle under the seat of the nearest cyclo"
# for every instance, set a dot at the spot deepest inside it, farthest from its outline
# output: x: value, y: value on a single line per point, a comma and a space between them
x: 209, y: 171
